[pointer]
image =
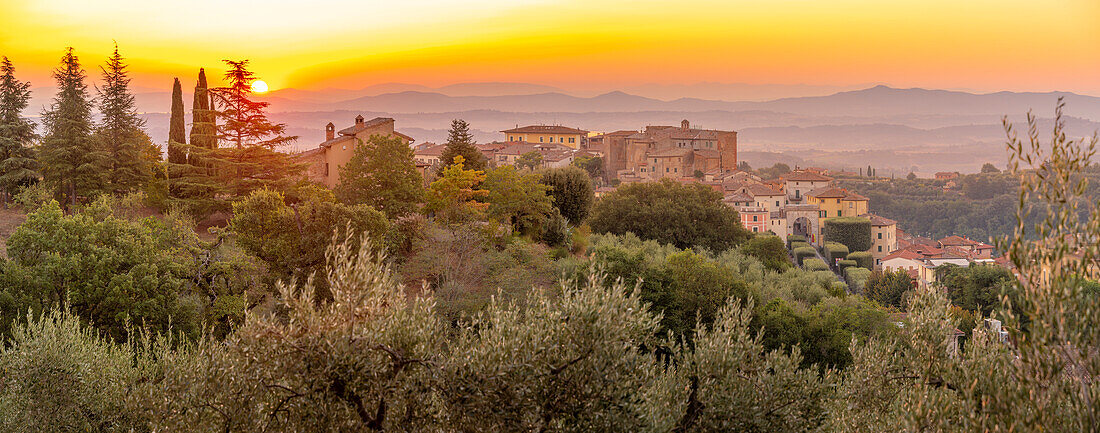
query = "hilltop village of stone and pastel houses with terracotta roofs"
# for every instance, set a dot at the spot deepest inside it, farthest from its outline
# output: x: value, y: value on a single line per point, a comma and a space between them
x: 797, y: 206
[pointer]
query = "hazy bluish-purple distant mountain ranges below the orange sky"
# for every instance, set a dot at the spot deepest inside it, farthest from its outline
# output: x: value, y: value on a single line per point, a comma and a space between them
x: 898, y: 129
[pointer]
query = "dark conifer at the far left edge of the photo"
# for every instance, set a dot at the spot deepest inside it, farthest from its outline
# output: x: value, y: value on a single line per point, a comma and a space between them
x: 18, y: 165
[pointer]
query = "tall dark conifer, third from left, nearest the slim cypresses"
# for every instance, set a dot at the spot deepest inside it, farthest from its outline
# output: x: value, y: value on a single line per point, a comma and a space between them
x: 120, y: 135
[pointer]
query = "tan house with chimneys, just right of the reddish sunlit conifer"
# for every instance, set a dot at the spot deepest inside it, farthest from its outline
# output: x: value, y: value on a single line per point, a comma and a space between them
x: 324, y: 163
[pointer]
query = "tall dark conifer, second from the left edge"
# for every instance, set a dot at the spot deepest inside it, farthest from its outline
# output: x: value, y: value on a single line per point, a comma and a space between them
x: 68, y: 152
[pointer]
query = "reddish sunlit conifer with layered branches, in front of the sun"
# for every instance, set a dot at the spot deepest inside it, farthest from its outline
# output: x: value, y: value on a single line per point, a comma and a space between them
x: 250, y: 161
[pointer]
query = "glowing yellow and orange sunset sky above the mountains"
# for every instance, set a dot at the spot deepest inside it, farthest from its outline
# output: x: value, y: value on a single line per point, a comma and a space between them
x: 982, y: 46
